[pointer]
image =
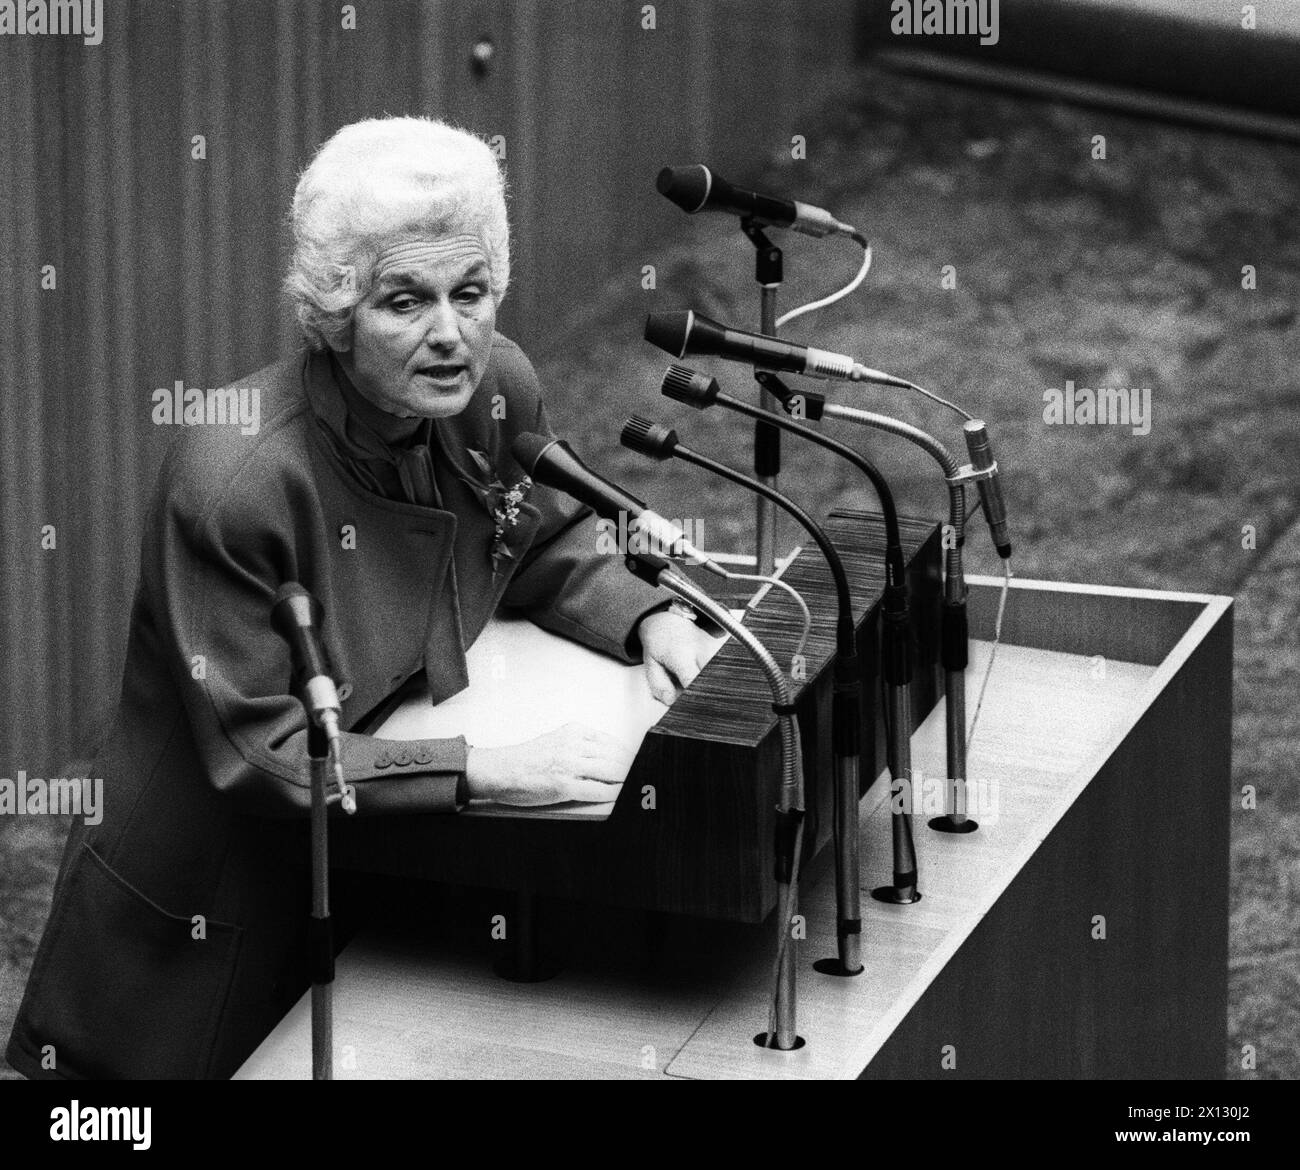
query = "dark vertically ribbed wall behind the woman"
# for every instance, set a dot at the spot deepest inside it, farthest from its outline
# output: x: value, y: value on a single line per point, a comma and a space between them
x: 170, y: 268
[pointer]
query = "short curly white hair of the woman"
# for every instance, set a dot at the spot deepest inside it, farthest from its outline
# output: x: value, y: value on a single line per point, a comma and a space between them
x: 376, y: 183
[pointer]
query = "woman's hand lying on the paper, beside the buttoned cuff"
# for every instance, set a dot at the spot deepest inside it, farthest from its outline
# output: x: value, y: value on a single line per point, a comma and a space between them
x: 571, y: 764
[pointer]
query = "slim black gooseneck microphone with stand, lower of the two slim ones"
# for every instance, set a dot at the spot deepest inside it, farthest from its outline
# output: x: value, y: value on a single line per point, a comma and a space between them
x: 846, y: 703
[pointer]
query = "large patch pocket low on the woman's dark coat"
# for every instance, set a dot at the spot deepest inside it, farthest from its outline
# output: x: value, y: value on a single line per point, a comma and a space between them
x: 122, y: 989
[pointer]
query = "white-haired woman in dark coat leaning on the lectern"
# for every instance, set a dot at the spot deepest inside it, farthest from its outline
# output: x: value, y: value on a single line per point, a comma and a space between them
x: 380, y: 479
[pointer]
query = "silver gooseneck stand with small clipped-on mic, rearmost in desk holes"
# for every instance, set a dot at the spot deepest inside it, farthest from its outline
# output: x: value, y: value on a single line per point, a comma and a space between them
x: 955, y: 636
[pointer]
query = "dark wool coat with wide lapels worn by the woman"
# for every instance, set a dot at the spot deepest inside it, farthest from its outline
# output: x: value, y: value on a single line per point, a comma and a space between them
x: 176, y: 941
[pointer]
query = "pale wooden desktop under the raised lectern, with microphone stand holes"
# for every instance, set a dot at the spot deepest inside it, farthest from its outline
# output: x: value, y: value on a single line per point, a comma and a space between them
x: 430, y: 1008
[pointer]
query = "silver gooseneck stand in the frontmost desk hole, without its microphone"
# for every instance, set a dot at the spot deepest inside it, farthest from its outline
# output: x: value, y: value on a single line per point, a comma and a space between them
x: 782, y: 1032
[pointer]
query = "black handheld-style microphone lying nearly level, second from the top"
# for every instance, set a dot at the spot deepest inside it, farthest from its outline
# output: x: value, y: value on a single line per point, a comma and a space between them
x: 691, y: 333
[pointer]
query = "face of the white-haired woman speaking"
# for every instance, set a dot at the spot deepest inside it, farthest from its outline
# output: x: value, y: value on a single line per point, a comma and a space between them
x: 423, y: 336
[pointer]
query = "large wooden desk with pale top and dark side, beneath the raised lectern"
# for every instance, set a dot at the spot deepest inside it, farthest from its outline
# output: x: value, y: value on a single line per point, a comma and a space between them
x: 1081, y: 933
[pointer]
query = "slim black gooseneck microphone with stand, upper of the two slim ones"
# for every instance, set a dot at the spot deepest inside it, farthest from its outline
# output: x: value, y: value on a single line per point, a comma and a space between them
x: 684, y: 385
